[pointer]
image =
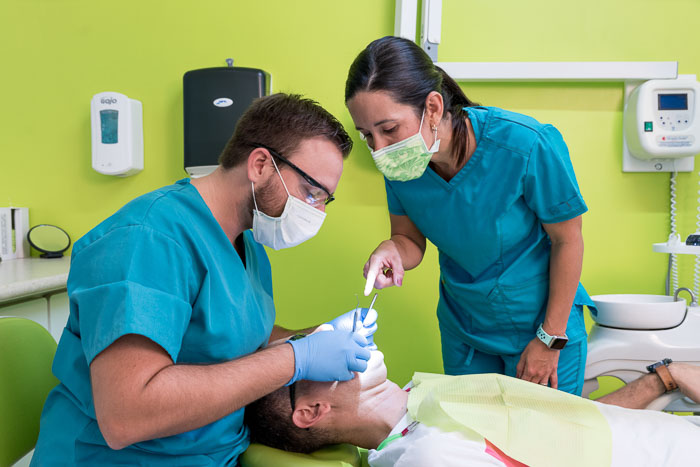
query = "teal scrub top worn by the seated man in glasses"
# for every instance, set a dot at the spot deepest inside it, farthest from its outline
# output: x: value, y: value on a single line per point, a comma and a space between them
x: 163, y: 268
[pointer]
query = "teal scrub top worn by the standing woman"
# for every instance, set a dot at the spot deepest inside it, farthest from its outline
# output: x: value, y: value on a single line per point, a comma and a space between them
x: 487, y: 225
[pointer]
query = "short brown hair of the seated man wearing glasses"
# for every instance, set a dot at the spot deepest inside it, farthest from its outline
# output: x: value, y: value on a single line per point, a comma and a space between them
x: 282, y: 121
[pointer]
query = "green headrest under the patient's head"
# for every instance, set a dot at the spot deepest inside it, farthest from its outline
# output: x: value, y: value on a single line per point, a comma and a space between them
x: 340, y: 455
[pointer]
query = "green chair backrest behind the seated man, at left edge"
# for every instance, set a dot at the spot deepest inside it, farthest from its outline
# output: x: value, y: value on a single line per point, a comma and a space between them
x: 26, y: 355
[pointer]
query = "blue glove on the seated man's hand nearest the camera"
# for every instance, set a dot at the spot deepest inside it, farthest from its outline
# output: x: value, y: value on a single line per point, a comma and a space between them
x: 329, y: 356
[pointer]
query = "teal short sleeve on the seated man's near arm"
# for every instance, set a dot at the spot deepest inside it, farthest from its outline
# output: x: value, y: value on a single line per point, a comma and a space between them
x: 133, y: 280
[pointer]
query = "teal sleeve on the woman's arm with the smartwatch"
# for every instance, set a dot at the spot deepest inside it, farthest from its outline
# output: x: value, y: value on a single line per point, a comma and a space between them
x: 550, y: 188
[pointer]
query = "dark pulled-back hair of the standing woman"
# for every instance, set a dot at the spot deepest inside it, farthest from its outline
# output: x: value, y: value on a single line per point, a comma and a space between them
x: 402, y: 69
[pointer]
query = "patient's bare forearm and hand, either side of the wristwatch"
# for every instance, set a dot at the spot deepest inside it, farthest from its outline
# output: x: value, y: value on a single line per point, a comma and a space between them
x: 641, y: 392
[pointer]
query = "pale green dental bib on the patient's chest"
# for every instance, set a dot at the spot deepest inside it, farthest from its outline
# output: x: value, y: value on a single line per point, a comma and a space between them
x: 533, y: 424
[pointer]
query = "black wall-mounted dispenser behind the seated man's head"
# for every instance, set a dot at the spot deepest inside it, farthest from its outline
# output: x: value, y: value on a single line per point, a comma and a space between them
x: 214, y: 99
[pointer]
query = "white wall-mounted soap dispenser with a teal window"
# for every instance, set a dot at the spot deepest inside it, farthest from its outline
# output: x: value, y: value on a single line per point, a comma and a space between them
x: 117, y: 134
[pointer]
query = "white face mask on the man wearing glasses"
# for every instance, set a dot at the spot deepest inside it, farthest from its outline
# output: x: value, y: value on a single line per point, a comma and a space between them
x: 299, y: 222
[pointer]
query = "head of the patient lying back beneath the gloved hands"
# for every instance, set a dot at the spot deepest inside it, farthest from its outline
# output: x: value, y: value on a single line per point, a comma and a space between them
x: 309, y: 414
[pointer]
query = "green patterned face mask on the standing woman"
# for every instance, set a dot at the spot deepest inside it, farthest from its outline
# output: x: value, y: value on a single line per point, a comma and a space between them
x: 407, y: 159
